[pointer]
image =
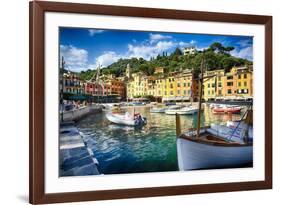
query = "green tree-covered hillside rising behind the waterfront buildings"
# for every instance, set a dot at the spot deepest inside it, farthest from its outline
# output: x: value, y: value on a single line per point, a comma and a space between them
x: 216, y: 56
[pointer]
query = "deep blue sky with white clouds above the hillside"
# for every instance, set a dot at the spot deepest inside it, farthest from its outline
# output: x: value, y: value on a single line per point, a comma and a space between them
x: 85, y: 49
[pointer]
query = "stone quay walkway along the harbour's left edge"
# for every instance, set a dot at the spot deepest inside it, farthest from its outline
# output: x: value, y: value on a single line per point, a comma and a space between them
x: 76, y: 158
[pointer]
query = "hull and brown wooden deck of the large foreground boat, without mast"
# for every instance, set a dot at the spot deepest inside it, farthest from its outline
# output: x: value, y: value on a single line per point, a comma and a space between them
x: 210, y: 151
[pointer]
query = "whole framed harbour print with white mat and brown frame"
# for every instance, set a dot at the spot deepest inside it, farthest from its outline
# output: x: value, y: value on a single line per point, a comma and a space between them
x: 138, y: 102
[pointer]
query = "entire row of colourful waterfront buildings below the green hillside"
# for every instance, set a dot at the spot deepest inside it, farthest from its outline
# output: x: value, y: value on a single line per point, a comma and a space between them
x: 175, y: 86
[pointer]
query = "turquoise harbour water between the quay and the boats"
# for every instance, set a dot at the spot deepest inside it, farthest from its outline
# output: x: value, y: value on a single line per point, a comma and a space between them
x: 152, y: 148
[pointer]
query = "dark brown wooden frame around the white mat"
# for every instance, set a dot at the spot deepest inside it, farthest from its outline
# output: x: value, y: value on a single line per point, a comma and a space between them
x: 37, y: 193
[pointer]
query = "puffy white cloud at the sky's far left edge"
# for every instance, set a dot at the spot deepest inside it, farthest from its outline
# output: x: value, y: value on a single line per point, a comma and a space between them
x: 76, y: 59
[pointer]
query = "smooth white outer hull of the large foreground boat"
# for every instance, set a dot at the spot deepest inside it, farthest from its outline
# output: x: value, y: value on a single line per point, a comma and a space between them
x: 194, y: 155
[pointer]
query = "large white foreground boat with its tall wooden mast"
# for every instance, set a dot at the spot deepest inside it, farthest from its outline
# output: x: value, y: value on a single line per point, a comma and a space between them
x: 215, y: 146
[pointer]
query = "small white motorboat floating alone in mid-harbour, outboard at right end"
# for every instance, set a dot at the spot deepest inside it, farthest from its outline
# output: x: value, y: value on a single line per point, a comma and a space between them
x: 126, y: 119
